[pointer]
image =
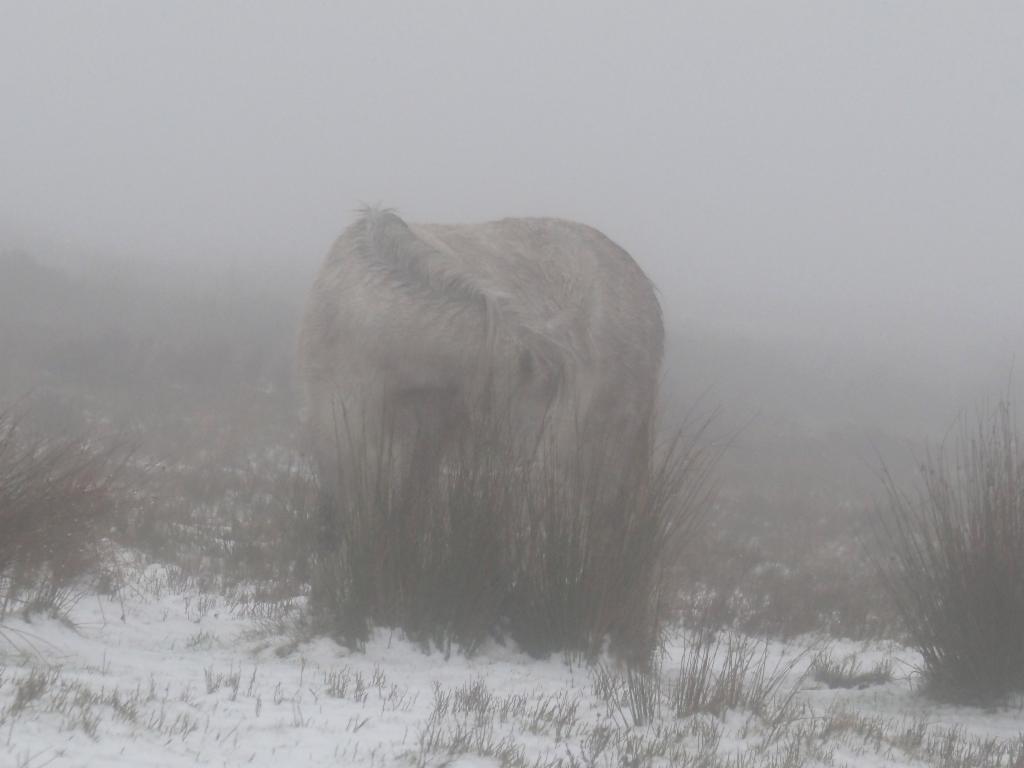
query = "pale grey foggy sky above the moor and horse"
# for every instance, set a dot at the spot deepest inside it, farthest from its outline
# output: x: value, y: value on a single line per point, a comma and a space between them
x: 842, y: 170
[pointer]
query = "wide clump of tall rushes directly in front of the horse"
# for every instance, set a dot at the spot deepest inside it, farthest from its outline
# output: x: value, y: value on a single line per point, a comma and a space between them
x: 568, y: 554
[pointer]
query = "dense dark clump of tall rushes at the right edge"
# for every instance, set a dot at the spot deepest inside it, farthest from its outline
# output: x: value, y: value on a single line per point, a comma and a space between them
x: 955, y: 566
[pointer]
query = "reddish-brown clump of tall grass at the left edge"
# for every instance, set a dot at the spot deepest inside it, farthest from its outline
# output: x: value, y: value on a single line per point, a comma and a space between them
x: 54, y: 500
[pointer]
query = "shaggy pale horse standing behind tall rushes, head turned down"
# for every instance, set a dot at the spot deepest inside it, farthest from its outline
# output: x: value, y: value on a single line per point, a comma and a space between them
x: 413, y: 329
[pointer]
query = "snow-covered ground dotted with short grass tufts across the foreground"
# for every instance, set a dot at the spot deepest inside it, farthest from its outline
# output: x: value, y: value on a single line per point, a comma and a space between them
x: 188, y: 678
